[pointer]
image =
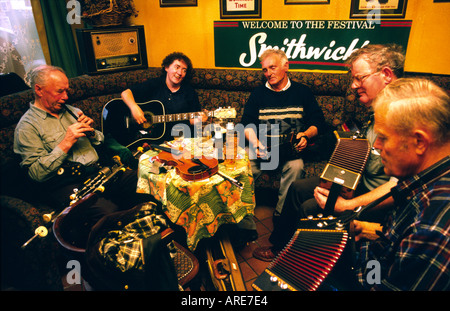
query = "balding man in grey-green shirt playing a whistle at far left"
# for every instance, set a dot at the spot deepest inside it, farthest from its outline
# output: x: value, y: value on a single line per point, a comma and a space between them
x: 60, y: 151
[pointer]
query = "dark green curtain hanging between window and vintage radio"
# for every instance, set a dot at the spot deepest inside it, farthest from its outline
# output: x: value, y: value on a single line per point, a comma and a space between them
x: 61, y: 43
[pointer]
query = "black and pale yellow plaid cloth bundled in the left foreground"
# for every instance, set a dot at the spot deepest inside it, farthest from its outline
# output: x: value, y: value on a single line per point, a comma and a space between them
x: 123, y: 249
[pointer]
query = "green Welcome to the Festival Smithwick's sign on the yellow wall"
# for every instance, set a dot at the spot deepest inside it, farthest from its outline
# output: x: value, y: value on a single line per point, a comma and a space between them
x: 308, y: 44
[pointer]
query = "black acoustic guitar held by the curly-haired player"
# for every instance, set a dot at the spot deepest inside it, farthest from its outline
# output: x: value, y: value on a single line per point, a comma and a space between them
x: 120, y: 124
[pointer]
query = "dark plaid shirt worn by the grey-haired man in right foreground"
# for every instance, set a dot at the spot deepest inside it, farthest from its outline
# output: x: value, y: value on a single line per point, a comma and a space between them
x: 414, y: 253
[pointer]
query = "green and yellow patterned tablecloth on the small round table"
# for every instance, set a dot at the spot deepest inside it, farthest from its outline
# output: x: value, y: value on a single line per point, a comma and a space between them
x: 200, y: 207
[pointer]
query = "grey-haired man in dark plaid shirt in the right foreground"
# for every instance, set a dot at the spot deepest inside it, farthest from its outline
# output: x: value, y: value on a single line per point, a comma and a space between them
x: 412, y: 120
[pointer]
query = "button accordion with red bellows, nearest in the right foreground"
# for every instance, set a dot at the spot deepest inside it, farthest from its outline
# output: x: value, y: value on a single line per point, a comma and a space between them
x: 308, y: 258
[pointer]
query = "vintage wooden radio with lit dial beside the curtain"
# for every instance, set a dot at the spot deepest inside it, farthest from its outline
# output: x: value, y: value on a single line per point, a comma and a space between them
x: 112, y: 49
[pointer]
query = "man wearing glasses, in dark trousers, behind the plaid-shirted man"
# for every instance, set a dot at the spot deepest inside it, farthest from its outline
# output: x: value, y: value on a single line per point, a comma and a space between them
x: 372, y: 67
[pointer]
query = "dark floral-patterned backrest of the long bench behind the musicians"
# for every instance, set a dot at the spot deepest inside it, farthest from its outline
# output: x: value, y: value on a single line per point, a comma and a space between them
x: 215, y: 87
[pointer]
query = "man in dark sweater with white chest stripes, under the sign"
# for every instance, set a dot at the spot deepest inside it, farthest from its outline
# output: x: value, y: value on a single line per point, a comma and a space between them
x: 274, y: 111
